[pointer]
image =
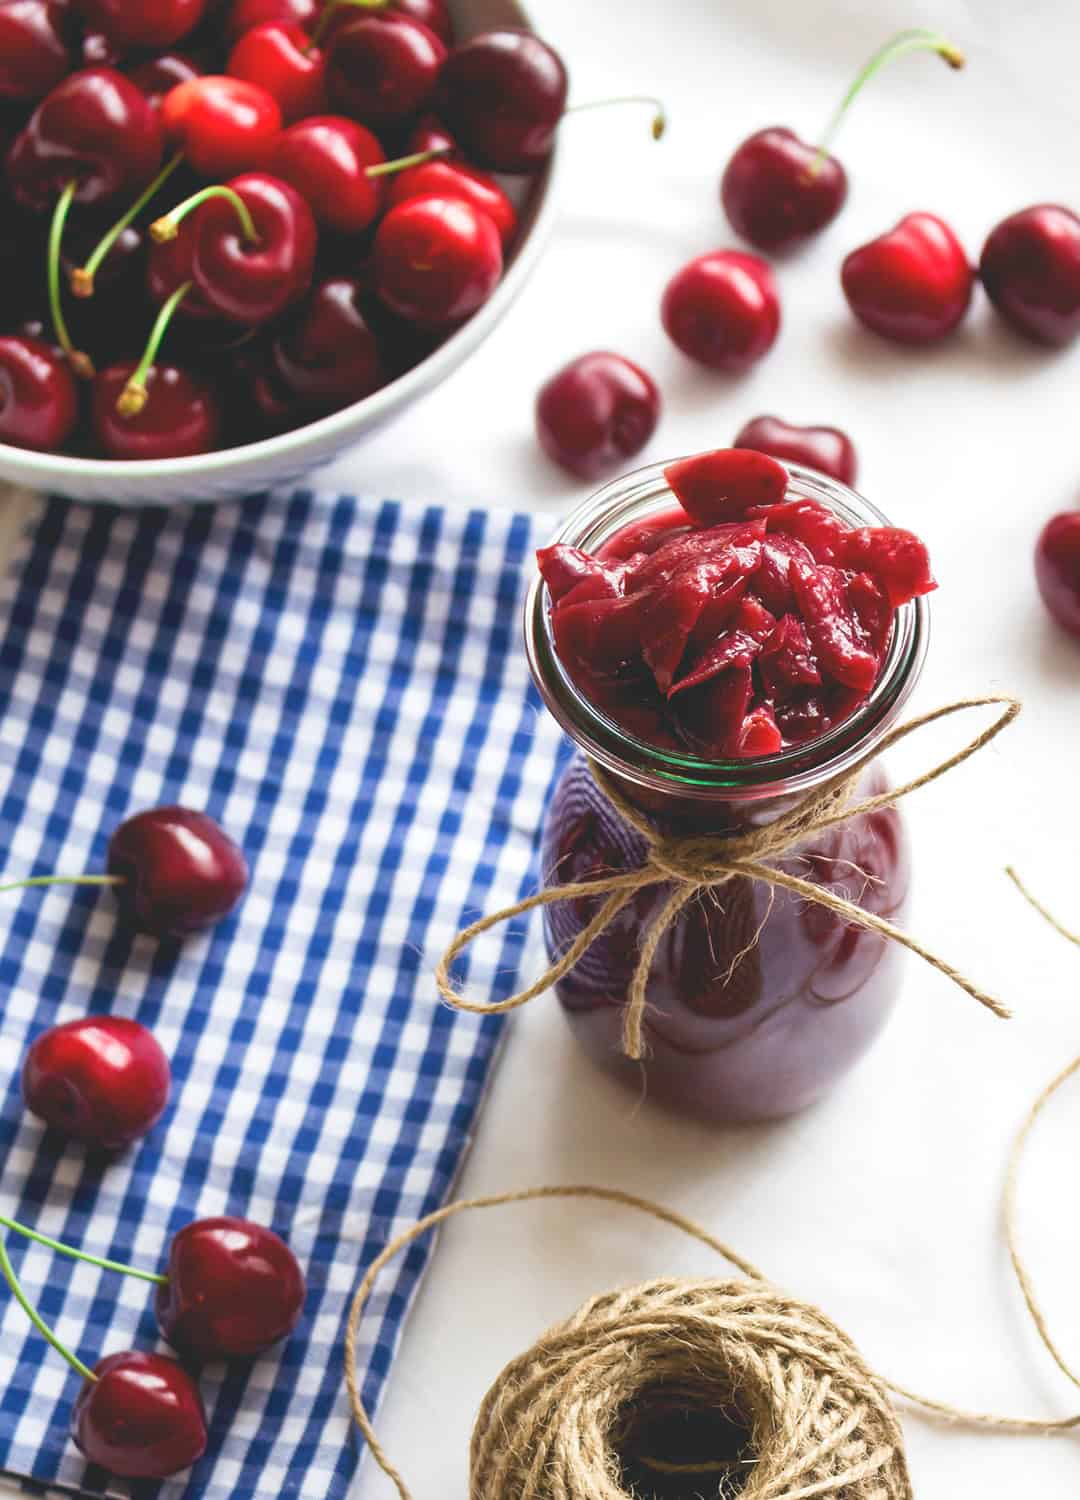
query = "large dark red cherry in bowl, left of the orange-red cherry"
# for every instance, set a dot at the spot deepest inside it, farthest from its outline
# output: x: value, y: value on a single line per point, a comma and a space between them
x: 97, y: 130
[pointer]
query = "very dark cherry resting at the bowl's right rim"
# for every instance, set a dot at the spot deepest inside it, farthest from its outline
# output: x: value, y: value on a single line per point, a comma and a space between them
x: 503, y: 95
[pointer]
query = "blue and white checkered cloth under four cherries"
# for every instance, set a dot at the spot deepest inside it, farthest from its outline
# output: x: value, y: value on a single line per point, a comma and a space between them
x: 343, y: 688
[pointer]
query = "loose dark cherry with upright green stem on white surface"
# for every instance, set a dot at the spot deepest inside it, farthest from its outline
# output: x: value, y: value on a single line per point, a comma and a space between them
x: 776, y: 191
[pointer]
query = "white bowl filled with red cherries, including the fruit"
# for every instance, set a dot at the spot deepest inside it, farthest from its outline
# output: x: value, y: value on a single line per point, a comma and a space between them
x: 239, y: 235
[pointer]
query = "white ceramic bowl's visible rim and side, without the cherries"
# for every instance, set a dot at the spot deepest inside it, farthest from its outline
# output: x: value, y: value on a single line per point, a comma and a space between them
x: 287, y: 458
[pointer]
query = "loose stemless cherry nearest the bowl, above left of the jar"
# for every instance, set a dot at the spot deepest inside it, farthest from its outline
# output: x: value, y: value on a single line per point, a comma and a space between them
x: 596, y: 413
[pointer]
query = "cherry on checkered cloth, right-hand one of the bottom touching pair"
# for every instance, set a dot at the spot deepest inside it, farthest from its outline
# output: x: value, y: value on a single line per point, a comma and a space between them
x: 235, y: 1289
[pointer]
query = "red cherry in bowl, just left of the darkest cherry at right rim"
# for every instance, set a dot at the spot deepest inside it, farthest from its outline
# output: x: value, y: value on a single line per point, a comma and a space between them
x: 383, y: 68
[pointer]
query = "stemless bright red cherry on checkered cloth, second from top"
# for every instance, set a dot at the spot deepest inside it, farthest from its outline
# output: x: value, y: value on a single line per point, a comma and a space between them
x: 101, y: 1081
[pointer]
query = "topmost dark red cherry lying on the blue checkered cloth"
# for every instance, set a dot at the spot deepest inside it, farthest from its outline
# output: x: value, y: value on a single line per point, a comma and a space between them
x: 182, y: 872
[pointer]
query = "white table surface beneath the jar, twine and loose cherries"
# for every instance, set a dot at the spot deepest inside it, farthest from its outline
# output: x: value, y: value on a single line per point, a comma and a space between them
x: 883, y: 1205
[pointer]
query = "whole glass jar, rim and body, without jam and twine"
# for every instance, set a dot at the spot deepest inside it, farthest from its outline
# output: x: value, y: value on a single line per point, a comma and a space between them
x: 758, y: 1001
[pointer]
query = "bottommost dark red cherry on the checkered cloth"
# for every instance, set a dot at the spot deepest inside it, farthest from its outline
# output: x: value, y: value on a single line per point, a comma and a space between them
x: 142, y: 1418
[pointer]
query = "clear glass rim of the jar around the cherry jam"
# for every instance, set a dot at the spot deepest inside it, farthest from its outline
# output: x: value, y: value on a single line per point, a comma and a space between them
x: 646, y: 493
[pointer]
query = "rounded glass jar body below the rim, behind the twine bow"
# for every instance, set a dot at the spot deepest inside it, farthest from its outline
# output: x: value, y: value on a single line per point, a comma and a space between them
x: 758, y: 1000
